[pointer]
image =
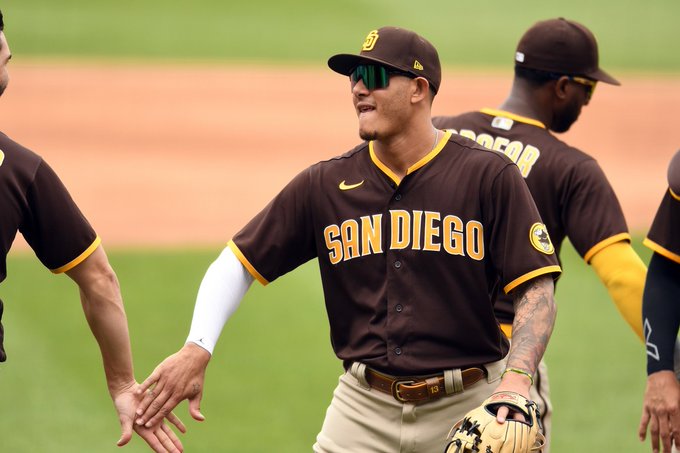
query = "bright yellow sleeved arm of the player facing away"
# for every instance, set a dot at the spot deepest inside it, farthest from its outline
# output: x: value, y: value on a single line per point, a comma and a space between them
x: 623, y: 274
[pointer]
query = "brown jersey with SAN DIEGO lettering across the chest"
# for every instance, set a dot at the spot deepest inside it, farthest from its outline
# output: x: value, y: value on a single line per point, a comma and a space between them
x: 410, y: 268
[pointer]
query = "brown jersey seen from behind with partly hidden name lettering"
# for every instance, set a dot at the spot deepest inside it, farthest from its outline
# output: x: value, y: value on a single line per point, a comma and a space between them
x: 572, y: 193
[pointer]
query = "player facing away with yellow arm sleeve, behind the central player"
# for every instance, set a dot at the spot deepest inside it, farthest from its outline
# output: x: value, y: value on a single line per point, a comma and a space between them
x: 556, y: 70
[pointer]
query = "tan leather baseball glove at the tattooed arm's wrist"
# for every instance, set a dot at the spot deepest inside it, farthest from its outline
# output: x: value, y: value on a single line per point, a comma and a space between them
x: 479, y: 431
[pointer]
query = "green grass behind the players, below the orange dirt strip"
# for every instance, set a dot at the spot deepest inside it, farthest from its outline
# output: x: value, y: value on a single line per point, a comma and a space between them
x: 273, y: 372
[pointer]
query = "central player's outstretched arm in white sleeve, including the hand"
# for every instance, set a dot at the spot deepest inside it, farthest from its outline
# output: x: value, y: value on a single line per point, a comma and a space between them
x: 181, y: 376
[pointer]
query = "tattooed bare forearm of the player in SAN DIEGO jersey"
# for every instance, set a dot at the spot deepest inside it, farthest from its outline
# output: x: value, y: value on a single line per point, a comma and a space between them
x: 535, y: 313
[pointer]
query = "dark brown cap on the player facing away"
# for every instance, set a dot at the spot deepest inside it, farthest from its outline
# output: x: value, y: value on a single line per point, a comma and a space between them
x: 561, y: 46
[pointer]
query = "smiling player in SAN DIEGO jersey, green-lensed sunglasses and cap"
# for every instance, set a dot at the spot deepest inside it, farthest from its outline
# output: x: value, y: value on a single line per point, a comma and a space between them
x: 415, y: 231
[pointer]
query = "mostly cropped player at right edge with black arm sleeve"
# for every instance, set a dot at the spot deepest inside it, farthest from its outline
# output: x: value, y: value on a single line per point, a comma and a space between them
x: 661, y: 314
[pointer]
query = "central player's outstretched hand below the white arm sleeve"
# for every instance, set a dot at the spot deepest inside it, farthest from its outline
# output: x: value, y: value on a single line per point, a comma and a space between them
x: 179, y: 377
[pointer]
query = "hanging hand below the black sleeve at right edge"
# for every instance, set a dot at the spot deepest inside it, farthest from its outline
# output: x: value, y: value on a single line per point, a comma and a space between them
x: 661, y: 411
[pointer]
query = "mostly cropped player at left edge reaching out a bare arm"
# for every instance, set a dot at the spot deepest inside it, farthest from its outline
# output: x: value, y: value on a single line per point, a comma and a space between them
x: 34, y: 201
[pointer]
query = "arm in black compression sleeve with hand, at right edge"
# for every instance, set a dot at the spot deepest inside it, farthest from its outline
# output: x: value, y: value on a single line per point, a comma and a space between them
x: 661, y: 312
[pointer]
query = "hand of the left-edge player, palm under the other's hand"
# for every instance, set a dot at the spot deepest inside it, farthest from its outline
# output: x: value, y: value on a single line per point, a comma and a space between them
x: 160, y: 438
